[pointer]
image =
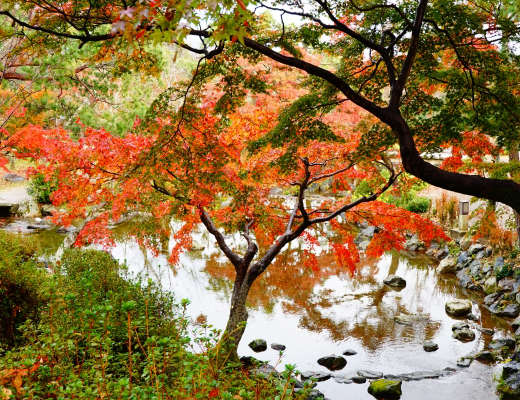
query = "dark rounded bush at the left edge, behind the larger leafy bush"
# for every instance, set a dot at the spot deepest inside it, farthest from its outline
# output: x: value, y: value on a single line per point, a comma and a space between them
x: 22, y: 284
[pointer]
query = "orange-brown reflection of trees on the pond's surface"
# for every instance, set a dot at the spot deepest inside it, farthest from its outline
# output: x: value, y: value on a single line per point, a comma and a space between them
x: 362, y: 312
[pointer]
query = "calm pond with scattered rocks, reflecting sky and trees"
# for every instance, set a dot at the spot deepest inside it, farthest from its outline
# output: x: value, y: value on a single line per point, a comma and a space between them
x: 323, y: 312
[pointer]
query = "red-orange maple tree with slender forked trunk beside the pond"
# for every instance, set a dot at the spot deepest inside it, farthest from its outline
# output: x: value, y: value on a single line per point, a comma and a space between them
x: 198, y: 165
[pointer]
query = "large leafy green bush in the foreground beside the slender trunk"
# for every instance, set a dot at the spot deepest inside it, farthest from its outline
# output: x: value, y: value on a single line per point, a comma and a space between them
x: 106, y: 336
